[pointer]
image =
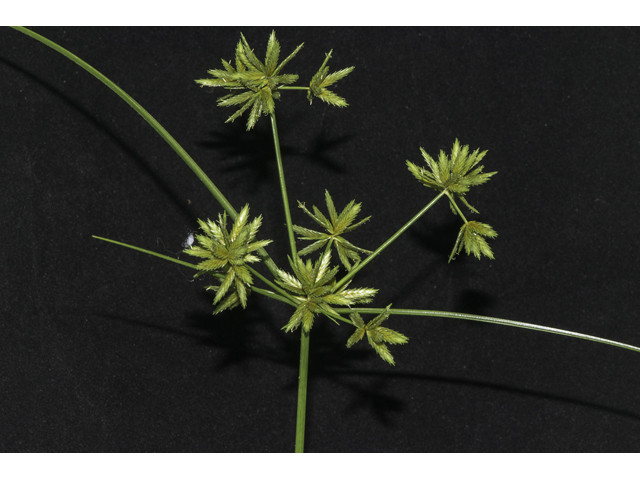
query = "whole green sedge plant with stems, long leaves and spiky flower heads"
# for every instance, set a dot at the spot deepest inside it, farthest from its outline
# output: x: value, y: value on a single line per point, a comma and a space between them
x: 322, y: 262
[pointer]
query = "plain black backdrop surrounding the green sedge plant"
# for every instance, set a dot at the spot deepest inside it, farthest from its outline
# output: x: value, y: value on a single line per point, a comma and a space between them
x: 107, y: 349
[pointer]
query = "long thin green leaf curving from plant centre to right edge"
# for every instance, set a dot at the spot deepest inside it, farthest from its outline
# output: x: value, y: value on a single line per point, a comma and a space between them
x: 497, y: 321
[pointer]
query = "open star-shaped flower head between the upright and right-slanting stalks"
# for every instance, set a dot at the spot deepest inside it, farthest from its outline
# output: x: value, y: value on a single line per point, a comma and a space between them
x: 336, y: 225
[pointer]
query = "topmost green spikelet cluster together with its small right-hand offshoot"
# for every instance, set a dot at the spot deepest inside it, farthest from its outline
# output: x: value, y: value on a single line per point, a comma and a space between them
x: 259, y: 82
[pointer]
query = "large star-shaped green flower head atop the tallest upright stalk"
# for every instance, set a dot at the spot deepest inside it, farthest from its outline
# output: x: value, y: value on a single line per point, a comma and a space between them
x: 259, y: 80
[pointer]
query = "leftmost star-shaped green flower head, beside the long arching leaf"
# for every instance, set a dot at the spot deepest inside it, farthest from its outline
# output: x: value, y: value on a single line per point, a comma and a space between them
x: 229, y: 252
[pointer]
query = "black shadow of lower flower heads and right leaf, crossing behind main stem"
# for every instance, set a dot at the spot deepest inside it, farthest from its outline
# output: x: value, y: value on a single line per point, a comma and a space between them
x: 329, y: 359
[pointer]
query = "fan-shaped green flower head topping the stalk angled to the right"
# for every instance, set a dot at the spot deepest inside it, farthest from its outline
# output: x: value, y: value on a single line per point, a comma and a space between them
x: 455, y: 173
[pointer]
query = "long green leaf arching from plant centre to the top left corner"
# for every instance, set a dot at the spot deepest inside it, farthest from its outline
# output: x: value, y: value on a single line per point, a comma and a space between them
x: 157, y: 127
